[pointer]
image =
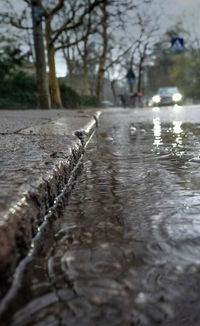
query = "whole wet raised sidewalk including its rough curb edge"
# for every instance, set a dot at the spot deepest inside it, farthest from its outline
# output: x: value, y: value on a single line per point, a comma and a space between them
x: 39, y: 150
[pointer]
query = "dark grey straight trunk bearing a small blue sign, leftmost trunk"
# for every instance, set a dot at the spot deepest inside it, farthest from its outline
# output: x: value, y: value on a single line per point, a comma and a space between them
x: 41, y: 74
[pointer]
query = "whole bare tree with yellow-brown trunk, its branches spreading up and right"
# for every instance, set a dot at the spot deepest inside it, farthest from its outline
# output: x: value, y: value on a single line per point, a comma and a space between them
x: 72, y: 14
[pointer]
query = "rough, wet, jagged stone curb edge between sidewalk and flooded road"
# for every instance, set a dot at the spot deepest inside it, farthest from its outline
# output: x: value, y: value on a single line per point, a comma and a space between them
x: 20, y: 223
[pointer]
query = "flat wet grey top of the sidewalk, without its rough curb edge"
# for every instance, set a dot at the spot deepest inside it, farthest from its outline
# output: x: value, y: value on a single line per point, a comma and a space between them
x: 32, y: 143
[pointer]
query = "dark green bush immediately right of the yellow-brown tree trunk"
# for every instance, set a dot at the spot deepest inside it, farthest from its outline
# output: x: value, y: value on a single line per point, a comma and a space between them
x: 70, y: 99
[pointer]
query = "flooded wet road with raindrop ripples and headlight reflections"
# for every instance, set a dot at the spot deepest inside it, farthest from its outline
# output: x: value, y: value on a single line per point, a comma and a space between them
x: 126, y: 248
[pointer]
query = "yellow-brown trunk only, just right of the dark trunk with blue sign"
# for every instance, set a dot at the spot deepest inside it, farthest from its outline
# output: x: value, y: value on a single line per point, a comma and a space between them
x: 56, y: 101
